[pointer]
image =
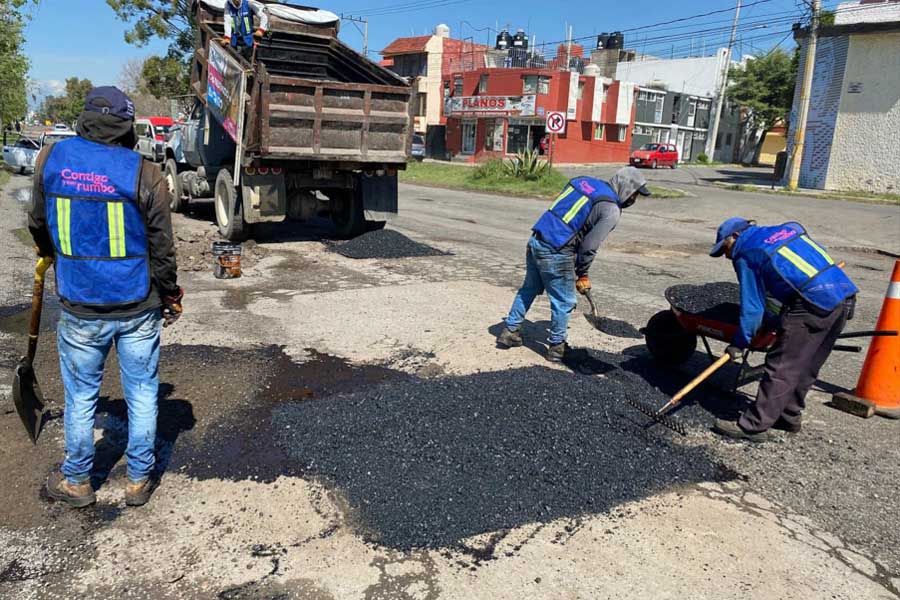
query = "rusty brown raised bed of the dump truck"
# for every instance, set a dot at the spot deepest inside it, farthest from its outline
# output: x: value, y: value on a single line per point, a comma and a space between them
x: 312, y: 98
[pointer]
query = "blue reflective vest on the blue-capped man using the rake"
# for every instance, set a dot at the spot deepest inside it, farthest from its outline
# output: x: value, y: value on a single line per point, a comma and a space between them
x: 800, y: 262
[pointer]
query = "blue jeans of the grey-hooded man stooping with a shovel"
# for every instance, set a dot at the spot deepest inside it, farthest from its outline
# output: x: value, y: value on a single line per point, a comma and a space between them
x: 546, y: 270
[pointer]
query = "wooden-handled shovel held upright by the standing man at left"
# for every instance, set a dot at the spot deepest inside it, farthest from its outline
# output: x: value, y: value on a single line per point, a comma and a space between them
x: 26, y: 393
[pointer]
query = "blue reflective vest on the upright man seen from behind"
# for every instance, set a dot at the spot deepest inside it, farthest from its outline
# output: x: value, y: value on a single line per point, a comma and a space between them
x: 95, y: 223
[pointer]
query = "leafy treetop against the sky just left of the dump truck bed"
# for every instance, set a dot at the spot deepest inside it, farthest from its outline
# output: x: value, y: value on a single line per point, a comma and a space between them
x: 164, y: 19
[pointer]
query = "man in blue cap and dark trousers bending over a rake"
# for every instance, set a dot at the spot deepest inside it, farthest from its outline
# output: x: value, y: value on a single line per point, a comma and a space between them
x: 782, y: 271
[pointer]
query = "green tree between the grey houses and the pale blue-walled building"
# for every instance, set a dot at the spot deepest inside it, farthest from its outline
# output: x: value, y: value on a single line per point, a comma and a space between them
x: 765, y: 87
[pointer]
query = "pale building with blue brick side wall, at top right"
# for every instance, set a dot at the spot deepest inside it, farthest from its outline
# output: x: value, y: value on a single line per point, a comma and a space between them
x: 853, y: 126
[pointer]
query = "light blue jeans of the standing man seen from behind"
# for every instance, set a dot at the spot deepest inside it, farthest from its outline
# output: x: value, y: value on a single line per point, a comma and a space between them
x: 83, y: 347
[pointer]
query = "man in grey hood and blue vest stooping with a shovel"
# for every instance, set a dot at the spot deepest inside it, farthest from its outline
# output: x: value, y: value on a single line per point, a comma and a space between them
x: 562, y: 247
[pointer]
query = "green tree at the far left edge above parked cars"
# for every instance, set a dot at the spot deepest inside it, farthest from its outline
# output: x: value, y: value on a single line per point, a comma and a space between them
x: 13, y: 63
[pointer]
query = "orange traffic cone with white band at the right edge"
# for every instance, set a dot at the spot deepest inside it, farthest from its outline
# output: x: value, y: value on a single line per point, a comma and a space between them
x: 878, y: 388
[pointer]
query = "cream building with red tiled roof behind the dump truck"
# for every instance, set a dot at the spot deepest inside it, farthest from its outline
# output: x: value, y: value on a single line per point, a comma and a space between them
x: 429, y: 59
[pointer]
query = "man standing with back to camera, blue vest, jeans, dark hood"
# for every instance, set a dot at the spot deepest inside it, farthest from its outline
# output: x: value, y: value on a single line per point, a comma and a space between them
x: 102, y: 213
